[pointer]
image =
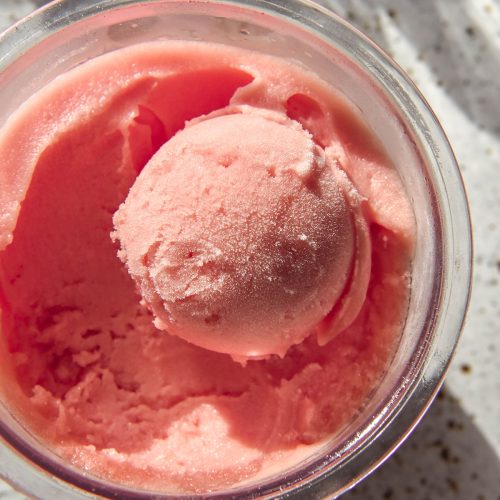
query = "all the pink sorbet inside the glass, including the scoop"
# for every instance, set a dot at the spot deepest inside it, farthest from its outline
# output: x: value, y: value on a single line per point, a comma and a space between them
x: 204, y: 264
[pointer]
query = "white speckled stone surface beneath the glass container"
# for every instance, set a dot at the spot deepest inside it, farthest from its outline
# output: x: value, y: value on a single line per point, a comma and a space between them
x: 452, y: 51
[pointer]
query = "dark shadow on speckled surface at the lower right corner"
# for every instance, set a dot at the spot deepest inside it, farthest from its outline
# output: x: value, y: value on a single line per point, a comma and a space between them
x: 446, y: 457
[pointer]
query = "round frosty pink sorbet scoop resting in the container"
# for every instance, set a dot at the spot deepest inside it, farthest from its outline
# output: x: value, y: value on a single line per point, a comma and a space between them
x: 241, y: 237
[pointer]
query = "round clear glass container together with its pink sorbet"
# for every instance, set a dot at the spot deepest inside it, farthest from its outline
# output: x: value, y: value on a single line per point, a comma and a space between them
x: 275, y: 328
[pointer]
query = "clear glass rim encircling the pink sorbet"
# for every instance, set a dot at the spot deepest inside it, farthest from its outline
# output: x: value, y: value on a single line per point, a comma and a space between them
x: 455, y: 248
